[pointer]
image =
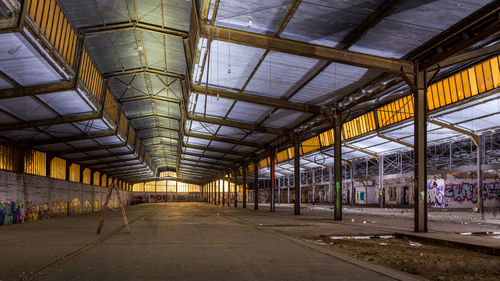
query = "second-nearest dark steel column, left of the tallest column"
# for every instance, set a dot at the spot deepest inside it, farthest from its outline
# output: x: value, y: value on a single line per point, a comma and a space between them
x: 337, y: 166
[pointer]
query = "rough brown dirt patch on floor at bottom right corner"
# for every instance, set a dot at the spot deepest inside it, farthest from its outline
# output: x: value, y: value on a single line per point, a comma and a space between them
x: 428, y: 261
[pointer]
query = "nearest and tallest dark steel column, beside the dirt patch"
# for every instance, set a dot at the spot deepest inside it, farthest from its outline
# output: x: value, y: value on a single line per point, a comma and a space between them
x: 420, y: 153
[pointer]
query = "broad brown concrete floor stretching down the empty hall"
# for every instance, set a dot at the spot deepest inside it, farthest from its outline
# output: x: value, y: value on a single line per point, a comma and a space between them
x: 177, y: 241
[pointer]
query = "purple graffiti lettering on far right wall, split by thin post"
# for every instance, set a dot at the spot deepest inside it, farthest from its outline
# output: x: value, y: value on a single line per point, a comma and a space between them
x: 465, y: 191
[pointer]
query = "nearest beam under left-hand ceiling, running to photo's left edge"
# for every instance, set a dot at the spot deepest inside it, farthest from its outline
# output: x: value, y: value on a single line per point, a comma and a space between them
x: 37, y: 90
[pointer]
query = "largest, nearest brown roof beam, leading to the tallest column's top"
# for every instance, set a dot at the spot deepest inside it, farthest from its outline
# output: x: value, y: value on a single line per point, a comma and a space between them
x: 306, y: 49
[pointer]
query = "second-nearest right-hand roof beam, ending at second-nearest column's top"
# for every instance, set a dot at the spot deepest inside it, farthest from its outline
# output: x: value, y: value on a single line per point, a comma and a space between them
x: 257, y: 99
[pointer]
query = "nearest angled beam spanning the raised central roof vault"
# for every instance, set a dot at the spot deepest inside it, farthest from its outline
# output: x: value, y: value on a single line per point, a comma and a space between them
x: 133, y: 25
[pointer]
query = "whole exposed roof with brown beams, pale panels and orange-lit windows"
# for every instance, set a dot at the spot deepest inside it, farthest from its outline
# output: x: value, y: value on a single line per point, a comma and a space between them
x: 132, y: 88
